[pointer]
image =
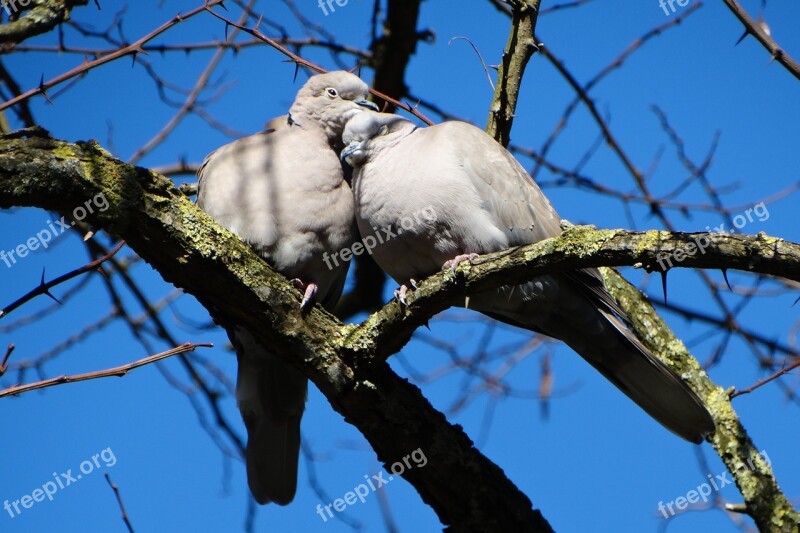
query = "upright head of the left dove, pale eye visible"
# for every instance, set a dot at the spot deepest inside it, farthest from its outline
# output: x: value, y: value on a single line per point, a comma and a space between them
x: 329, y: 100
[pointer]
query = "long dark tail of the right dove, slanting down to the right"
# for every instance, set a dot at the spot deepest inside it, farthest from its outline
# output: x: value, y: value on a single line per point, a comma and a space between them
x: 576, y: 309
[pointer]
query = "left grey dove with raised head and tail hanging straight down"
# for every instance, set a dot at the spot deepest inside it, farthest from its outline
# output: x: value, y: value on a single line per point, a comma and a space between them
x: 284, y: 192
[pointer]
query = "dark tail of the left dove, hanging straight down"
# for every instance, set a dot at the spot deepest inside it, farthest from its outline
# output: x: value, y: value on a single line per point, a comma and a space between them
x: 271, y: 396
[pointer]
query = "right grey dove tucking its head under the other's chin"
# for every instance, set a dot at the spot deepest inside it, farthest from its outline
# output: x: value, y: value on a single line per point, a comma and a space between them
x: 482, y: 200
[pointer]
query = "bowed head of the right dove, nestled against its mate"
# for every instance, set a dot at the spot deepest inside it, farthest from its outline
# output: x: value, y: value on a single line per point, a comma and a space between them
x: 369, y: 132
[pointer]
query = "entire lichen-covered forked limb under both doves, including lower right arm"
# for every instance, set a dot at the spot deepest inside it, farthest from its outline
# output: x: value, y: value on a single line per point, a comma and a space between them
x: 348, y: 363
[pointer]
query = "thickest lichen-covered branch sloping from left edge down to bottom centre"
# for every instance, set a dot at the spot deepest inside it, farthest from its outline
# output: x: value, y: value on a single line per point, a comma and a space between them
x: 467, y: 491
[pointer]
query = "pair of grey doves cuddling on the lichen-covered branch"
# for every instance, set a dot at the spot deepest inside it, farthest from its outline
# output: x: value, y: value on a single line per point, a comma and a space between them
x: 285, y: 191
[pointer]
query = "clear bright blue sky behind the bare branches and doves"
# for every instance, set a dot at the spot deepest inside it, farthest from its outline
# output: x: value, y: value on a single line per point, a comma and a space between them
x: 596, y: 463
